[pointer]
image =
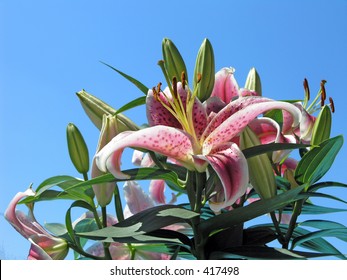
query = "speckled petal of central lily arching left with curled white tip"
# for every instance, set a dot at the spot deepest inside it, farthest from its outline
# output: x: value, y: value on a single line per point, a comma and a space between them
x: 165, y: 140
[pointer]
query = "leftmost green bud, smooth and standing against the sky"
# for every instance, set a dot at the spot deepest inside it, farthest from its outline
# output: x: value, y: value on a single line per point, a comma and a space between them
x: 78, y: 149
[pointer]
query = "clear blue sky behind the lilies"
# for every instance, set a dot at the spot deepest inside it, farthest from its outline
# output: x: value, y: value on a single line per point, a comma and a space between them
x: 51, y: 49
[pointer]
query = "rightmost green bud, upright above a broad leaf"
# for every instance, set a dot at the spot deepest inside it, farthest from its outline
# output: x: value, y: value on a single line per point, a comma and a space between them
x: 322, y: 126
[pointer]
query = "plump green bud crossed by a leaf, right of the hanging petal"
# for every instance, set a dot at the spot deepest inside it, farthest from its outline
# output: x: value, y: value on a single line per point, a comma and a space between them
x: 261, y: 174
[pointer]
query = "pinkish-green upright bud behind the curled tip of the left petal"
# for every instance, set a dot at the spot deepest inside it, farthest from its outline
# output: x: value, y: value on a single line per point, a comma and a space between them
x: 104, y: 191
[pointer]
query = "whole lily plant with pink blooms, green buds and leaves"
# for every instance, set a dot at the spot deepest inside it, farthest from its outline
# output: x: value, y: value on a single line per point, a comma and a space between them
x: 227, y: 155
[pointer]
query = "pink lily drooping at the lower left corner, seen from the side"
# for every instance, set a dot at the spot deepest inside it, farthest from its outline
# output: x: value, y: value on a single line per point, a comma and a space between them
x: 44, y: 246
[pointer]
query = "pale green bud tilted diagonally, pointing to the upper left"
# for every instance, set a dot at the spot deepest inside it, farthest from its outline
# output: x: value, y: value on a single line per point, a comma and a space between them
x: 96, y: 108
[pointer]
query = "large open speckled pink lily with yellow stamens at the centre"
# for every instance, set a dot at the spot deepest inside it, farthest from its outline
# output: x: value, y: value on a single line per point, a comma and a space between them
x: 180, y: 129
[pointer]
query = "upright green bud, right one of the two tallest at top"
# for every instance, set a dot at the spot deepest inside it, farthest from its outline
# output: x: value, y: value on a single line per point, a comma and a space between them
x: 204, y: 72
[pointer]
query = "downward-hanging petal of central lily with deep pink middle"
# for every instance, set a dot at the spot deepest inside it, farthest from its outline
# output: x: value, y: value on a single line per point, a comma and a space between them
x: 231, y: 167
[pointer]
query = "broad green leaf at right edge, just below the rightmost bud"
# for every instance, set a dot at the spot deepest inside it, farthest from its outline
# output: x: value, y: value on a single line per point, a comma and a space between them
x: 316, y: 162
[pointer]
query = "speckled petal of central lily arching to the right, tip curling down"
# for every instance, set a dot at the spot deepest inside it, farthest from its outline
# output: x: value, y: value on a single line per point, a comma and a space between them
x: 234, y: 124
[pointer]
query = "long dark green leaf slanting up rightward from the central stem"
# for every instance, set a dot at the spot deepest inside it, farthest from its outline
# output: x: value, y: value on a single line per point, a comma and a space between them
x: 251, y: 211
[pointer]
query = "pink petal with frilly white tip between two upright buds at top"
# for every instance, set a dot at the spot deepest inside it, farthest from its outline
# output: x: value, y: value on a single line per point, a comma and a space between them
x: 225, y: 85
